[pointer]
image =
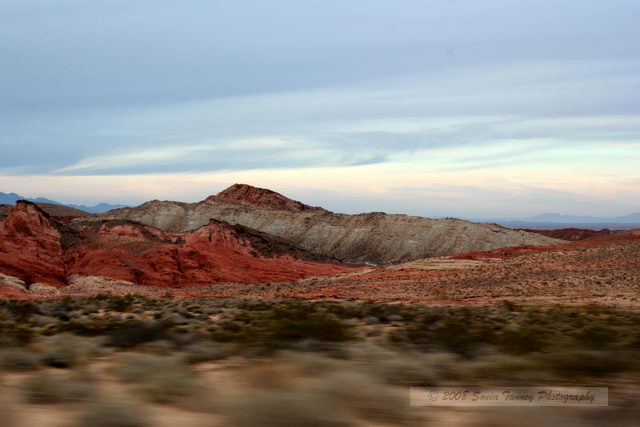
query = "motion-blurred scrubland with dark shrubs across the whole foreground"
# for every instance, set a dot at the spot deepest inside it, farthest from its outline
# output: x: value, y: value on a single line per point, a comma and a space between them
x: 113, y: 361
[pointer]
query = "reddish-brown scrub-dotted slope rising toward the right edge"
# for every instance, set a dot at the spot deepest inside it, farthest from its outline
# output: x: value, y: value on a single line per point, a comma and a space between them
x: 601, y: 270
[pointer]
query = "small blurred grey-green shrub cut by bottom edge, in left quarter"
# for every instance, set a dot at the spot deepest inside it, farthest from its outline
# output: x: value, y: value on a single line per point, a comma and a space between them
x: 113, y: 413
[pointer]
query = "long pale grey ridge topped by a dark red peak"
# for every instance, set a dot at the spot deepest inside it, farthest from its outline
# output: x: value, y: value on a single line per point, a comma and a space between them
x: 370, y: 238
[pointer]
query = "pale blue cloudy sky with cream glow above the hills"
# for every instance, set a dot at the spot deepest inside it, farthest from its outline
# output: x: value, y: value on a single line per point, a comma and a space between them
x: 466, y: 108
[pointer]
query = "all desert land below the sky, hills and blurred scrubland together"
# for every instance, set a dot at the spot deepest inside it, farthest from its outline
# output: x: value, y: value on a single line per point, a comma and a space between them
x: 138, y: 316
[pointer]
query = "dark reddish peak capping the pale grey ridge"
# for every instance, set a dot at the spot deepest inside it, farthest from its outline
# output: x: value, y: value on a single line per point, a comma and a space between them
x: 247, y: 195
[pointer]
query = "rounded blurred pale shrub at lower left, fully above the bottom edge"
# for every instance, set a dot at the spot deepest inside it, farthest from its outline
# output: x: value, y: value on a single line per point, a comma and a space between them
x: 159, y: 378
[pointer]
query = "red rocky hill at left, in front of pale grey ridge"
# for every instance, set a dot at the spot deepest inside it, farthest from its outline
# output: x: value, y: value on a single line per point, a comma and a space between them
x: 40, y: 254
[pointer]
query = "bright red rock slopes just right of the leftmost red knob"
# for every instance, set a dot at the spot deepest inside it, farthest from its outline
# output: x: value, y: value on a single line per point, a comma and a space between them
x: 216, y: 252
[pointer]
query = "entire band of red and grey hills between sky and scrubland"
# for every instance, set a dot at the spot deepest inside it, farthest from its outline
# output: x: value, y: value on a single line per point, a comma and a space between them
x: 253, y: 242
